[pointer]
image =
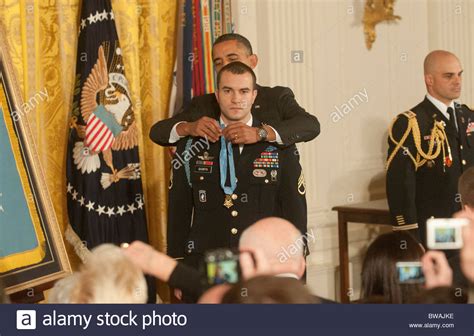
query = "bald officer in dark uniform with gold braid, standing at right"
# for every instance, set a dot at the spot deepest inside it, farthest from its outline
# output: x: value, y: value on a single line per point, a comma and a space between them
x: 429, y: 148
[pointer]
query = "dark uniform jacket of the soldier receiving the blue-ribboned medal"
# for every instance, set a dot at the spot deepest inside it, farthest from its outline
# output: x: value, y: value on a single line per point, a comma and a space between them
x: 270, y: 183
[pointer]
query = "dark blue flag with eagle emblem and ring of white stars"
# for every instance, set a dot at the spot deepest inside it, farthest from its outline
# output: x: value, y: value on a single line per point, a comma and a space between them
x: 104, y: 186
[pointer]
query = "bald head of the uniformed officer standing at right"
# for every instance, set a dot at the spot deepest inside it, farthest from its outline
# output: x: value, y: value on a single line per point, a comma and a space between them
x: 443, y: 75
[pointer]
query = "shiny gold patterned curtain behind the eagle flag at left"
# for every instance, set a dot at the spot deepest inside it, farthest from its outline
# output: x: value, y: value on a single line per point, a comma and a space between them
x: 42, y: 38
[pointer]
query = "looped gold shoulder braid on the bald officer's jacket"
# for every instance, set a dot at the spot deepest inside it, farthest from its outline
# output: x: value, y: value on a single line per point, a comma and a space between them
x: 438, y: 135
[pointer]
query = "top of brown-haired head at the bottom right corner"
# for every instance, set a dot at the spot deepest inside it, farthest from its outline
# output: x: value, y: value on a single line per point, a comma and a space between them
x: 440, y: 295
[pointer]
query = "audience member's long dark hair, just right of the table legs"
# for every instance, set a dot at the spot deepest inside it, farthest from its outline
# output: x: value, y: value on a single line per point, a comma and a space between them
x: 379, y: 273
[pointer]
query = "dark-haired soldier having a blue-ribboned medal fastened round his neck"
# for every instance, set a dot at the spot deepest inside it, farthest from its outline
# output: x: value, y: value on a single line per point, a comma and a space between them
x: 219, y: 189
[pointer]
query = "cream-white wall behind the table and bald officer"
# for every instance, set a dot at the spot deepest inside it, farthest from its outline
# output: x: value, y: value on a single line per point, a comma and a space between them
x: 345, y: 163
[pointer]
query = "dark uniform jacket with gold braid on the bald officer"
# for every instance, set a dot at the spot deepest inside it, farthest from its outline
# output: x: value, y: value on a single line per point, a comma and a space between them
x: 417, y: 192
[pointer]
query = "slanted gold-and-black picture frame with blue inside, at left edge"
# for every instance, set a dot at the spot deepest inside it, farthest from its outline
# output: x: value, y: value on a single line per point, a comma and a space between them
x: 32, y: 251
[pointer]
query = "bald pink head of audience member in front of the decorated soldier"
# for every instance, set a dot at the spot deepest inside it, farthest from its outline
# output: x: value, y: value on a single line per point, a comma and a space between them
x: 273, y: 236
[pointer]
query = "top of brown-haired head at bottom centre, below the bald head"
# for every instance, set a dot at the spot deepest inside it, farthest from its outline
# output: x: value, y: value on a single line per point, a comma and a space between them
x: 269, y: 289
